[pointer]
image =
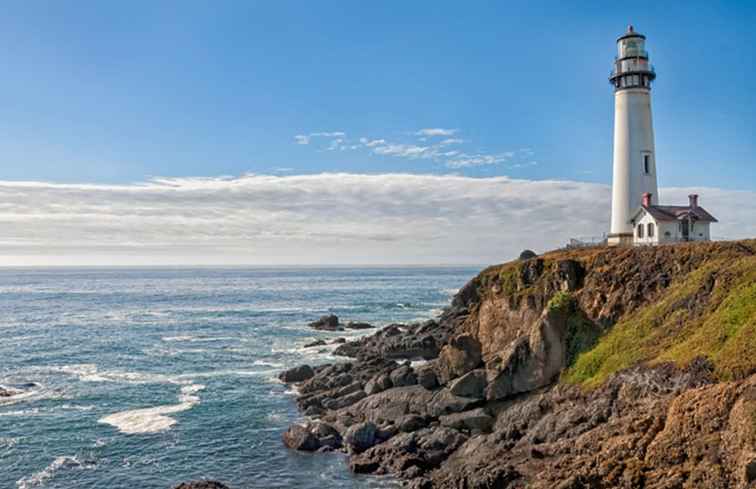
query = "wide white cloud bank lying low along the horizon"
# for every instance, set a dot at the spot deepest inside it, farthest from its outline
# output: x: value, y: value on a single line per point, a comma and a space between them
x: 330, y: 218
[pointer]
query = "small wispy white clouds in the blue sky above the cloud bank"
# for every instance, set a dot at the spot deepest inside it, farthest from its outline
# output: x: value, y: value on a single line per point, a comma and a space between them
x: 431, y: 144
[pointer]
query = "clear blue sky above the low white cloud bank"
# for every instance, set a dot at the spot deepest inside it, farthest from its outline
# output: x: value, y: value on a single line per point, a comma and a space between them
x: 120, y: 91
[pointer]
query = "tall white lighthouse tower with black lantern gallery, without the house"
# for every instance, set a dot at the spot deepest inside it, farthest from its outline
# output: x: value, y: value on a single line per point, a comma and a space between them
x: 634, y: 154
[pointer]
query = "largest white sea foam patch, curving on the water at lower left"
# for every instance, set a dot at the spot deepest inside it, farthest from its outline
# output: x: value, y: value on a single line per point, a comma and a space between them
x: 154, y: 419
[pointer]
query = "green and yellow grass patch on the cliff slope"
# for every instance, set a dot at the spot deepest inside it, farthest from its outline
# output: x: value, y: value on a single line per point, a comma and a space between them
x: 685, y: 323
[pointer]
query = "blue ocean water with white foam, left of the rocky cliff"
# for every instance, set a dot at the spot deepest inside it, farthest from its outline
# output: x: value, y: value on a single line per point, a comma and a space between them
x: 144, y: 378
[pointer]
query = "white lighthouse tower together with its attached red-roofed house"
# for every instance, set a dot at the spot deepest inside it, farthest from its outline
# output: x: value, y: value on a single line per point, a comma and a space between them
x: 637, y: 217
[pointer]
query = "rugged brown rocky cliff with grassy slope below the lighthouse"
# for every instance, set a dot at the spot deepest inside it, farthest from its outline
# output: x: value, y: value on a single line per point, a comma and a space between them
x: 598, y: 368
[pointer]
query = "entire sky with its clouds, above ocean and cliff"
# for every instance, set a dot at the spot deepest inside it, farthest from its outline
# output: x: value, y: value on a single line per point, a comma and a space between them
x: 269, y: 133
